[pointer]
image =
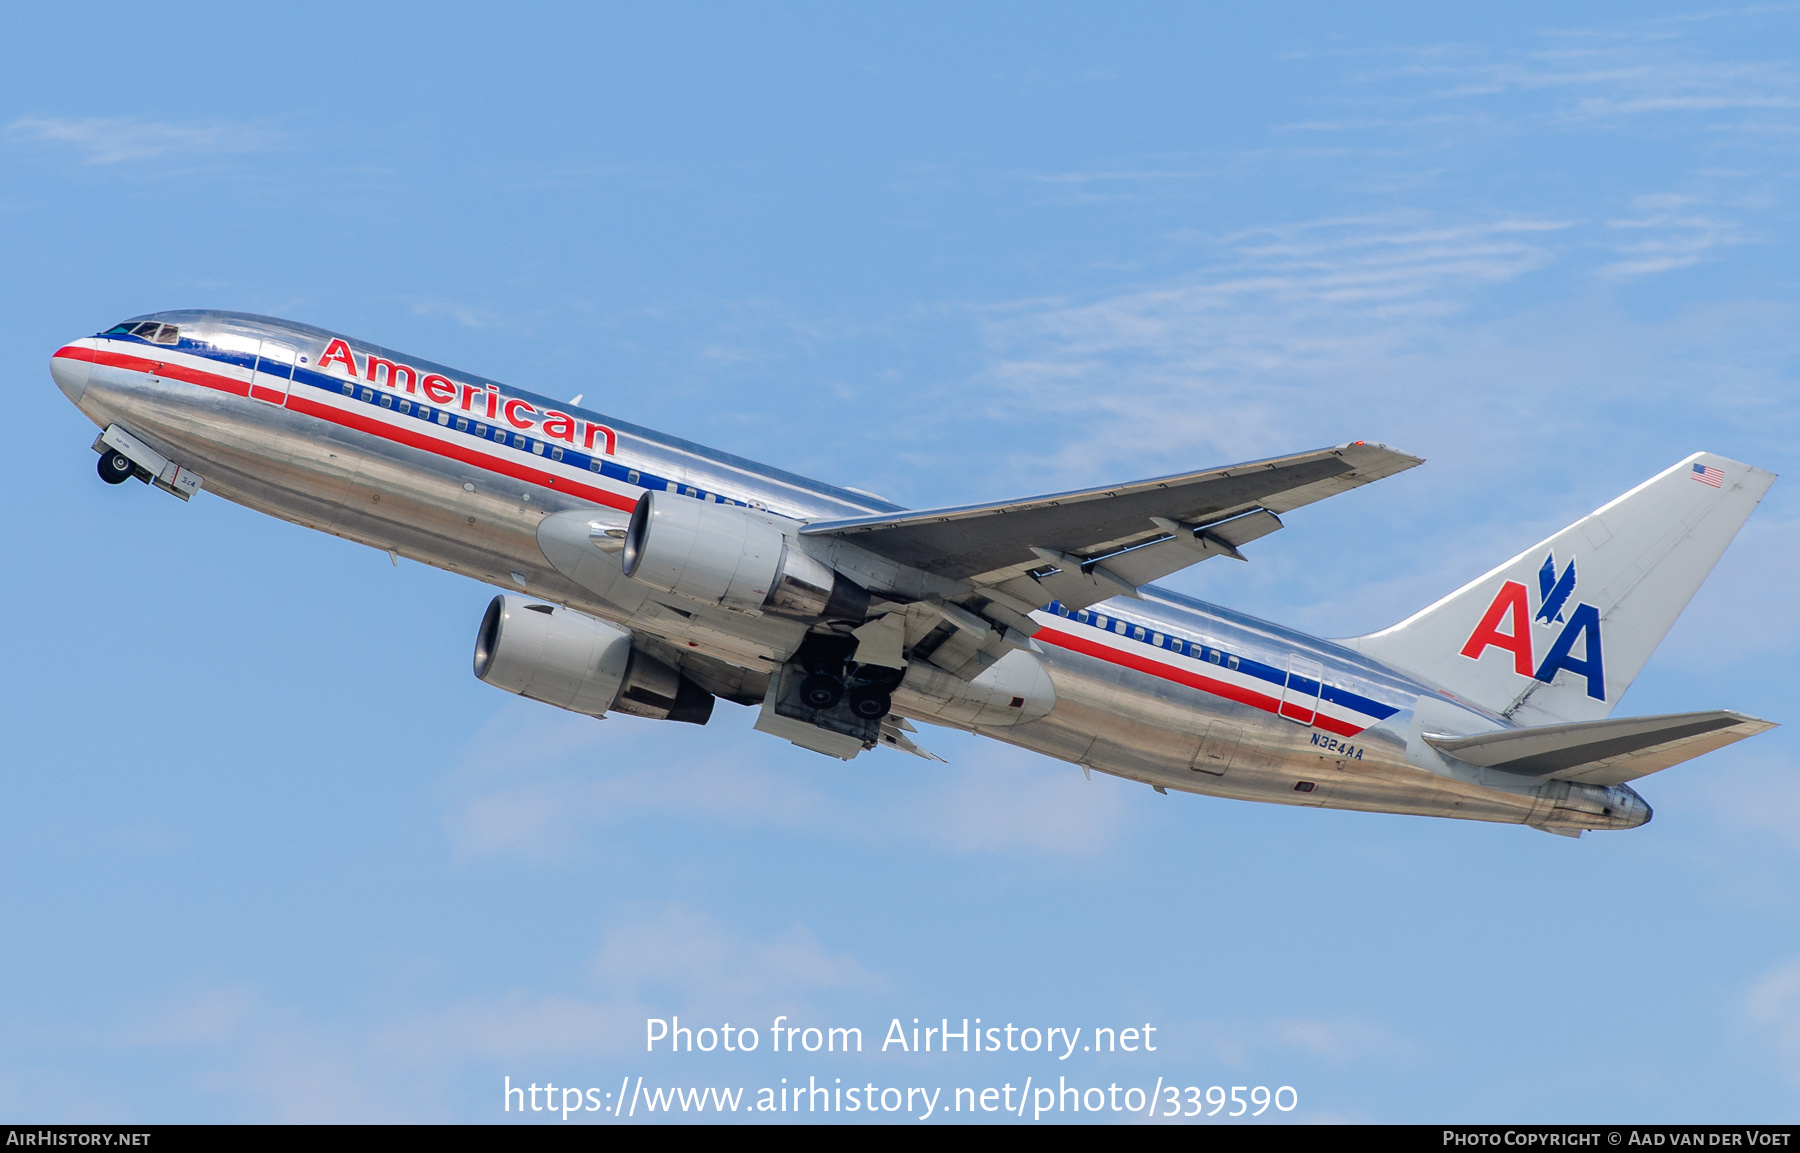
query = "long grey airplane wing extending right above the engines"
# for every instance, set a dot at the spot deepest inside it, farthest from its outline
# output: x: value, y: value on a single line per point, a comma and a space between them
x: 1086, y: 546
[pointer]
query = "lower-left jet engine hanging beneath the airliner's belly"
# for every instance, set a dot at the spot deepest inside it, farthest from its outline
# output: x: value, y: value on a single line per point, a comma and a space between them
x: 582, y: 665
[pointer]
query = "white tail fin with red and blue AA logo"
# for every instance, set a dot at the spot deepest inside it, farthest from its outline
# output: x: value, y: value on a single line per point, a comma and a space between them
x: 1560, y: 632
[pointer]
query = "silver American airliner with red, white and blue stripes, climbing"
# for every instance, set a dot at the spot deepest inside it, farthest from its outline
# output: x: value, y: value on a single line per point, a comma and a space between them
x: 651, y: 576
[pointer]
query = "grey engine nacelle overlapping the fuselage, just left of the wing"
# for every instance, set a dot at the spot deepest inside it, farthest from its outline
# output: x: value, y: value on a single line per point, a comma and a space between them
x: 735, y: 559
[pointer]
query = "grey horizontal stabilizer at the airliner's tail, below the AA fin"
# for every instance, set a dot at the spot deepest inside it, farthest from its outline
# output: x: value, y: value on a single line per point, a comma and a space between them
x: 1603, y: 753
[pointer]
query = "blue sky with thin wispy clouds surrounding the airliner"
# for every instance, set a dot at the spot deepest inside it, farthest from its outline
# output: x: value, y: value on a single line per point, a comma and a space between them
x: 273, y: 854
